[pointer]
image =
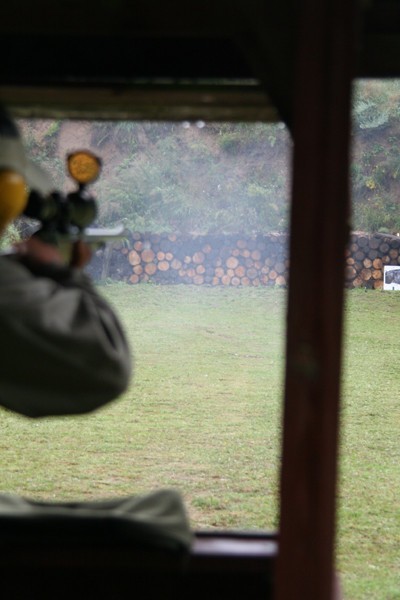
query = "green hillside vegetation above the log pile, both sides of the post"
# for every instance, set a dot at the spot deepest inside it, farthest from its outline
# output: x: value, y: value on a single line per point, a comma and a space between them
x: 223, y: 177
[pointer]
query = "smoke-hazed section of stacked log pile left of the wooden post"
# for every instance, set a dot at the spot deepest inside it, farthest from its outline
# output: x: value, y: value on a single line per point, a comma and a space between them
x: 214, y: 260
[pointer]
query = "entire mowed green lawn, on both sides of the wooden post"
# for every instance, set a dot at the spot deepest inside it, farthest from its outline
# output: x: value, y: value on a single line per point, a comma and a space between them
x: 203, y: 415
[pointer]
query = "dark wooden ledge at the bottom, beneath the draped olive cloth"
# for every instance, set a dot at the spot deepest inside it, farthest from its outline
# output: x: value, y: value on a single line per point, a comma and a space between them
x: 219, y: 566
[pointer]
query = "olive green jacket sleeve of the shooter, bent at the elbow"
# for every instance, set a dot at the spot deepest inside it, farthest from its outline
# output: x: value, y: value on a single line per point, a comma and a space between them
x: 64, y: 349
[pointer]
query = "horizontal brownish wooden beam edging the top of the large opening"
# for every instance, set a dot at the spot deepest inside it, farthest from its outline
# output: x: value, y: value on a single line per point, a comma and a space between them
x: 162, y: 102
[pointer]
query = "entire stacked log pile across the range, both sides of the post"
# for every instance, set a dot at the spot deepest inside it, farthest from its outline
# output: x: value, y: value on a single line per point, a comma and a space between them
x: 233, y: 260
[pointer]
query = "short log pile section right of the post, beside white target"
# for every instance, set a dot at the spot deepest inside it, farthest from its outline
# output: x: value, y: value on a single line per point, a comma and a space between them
x: 366, y: 257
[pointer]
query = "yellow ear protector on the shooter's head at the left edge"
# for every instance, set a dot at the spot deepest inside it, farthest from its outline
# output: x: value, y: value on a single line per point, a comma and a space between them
x: 13, y: 196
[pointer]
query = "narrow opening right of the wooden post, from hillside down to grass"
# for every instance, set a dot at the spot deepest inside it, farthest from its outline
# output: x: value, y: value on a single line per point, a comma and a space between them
x: 368, y: 525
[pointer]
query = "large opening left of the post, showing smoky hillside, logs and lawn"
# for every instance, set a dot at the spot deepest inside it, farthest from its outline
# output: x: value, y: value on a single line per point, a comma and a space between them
x: 200, y: 284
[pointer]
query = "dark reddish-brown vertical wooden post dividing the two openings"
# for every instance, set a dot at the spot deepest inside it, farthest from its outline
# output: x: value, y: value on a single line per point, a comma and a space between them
x: 319, y: 229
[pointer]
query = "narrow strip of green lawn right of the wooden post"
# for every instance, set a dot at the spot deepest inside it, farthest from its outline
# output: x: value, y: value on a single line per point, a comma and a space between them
x: 369, y: 487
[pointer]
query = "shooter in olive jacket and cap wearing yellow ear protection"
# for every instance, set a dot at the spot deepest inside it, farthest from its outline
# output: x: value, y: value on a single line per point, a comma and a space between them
x: 63, y: 349
